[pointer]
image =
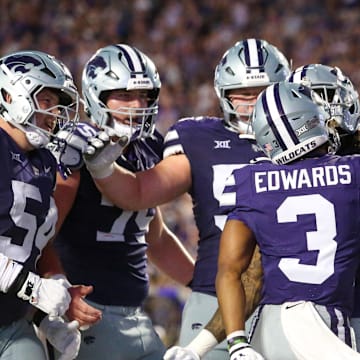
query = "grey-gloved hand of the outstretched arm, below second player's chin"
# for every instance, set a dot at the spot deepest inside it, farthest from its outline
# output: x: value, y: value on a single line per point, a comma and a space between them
x: 101, y: 163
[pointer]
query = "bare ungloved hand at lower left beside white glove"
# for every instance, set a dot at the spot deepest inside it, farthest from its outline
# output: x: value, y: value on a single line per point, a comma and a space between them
x: 79, y: 310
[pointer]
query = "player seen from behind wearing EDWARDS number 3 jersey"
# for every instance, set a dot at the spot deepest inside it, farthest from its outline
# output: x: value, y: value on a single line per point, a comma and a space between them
x: 294, y: 210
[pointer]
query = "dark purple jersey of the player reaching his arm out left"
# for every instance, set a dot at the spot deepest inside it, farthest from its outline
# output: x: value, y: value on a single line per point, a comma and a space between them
x: 214, y: 151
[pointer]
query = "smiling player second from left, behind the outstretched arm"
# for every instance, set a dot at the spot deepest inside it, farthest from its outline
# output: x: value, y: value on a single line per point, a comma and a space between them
x: 100, y: 243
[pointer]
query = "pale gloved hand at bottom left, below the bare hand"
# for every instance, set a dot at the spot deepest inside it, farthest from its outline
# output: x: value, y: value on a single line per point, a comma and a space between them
x: 64, y: 336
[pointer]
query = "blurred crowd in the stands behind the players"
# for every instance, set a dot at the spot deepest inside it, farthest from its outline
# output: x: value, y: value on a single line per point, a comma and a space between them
x: 186, y: 39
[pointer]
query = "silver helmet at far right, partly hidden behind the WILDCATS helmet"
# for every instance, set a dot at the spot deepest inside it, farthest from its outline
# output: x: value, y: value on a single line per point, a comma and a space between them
x: 336, y: 89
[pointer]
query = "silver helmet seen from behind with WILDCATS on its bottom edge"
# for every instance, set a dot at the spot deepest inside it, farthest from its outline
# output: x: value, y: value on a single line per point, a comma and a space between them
x: 289, y: 122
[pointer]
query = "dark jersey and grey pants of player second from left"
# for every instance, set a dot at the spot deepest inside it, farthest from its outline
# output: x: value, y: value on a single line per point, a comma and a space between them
x: 102, y: 245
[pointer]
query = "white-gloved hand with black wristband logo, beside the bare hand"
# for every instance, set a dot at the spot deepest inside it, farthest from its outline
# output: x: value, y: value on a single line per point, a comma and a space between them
x: 48, y: 295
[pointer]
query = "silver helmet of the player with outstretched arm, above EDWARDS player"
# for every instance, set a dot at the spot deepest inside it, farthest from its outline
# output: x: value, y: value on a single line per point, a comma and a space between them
x: 249, y: 63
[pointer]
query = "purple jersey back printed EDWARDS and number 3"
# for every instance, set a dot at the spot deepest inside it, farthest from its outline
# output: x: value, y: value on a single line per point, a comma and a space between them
x: 305, y: 217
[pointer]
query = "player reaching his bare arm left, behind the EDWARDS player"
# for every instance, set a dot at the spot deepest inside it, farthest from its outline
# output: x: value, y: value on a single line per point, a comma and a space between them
x: 200, y: 153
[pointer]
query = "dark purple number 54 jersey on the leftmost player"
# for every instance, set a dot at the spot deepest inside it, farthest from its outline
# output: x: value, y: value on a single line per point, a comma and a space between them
x: 27, y: 212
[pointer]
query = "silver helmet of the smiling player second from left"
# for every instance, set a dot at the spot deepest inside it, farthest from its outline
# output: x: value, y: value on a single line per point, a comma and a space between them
x: 121, y: 67
